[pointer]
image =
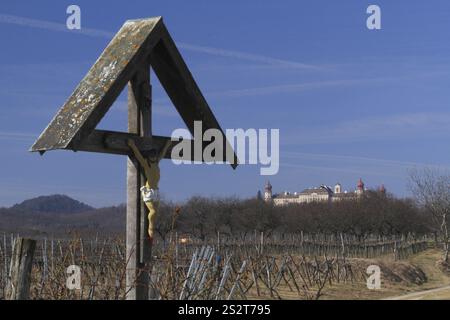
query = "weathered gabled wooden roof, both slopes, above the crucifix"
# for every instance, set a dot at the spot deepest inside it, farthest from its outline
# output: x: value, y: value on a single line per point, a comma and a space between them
x: 136, y: 42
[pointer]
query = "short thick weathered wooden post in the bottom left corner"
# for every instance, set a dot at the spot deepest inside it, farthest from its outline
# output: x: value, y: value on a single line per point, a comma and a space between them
x: 20, y: 271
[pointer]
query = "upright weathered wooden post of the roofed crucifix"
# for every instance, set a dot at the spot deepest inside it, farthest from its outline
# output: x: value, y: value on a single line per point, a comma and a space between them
x: 138, y: 247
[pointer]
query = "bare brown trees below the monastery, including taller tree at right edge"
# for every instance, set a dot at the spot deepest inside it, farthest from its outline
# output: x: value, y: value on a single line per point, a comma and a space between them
x: 375, y: 213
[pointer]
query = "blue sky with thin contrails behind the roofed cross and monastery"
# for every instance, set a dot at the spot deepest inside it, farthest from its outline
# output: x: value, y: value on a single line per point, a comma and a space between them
x: 349, y: 102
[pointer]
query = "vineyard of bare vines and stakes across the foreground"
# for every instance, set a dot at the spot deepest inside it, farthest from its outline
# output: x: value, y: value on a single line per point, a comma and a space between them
x: 248, y: 267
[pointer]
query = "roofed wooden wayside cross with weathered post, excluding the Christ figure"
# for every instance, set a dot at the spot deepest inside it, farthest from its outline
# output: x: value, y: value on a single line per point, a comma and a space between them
x: 138, y: 46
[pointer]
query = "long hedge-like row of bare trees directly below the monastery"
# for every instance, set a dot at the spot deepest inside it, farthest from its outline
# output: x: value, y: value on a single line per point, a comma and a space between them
x: 373, y: 214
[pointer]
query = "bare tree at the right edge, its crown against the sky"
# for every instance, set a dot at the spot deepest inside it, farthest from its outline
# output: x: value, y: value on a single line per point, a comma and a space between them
x: 432, y: 190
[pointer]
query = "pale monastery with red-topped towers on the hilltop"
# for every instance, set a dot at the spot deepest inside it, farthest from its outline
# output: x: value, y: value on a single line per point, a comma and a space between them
x: 322, y: 193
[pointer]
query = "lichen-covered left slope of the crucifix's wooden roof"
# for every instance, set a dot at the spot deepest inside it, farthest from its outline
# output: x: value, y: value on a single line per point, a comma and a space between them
x: 94, y: 87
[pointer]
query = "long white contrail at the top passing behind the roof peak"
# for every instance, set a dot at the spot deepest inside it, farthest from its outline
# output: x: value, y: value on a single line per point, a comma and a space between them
x: 53, y: 26
